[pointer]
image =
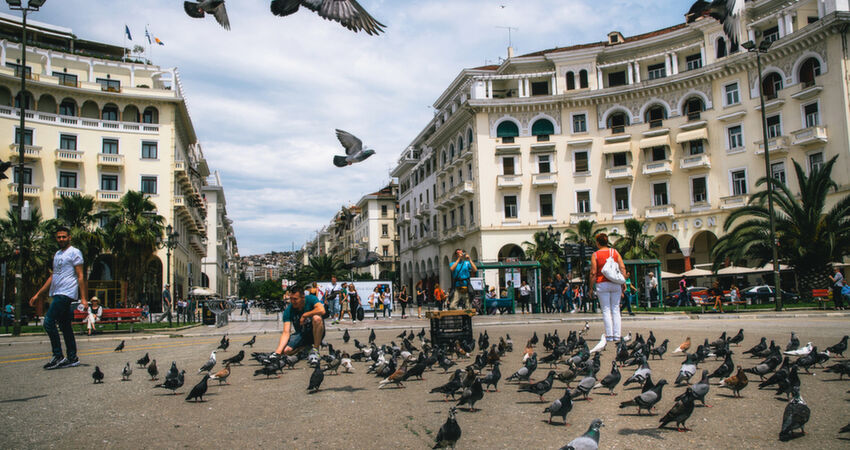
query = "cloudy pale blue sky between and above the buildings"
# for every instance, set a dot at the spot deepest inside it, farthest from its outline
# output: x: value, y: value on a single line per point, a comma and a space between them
x: 266, y: 96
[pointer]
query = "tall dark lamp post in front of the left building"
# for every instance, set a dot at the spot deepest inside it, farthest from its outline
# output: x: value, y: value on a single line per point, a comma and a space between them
x: 15, y: 5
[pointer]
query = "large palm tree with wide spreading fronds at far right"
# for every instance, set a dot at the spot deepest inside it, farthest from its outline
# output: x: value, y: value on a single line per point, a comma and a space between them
x: 808, y: 237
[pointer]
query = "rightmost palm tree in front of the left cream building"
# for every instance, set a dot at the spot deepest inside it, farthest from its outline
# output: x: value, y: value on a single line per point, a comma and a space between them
x: 133, y: 233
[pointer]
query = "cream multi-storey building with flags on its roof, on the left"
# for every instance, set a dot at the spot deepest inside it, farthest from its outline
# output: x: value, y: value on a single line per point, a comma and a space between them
x: 97, y: 125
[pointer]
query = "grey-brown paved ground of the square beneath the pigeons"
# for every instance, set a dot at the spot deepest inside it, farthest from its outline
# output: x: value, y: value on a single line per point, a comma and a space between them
x: 64, y: 409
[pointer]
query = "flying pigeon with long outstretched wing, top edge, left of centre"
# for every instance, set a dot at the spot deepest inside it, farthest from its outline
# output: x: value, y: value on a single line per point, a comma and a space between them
x: 348, y: 13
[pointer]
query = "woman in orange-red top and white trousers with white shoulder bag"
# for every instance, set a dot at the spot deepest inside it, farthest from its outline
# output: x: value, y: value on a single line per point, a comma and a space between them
x: 608, y: 292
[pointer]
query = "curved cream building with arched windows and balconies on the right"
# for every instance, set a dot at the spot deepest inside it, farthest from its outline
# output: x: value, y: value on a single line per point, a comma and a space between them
x: 663, y: 127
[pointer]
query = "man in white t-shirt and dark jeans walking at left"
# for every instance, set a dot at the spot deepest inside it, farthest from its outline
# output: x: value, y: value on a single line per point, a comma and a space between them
x: 66, y: 280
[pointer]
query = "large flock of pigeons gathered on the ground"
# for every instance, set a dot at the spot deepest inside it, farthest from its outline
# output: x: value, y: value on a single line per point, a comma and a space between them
x: 473, y: 371
